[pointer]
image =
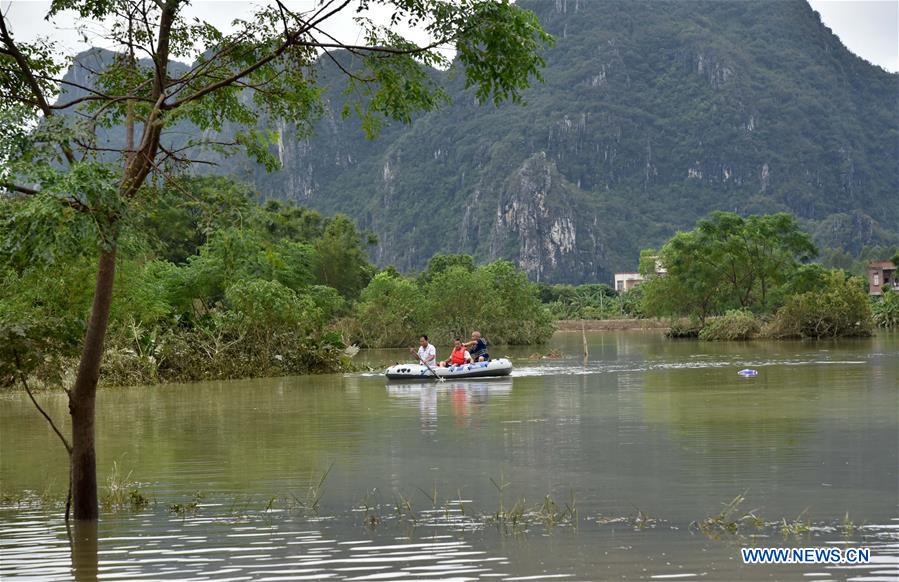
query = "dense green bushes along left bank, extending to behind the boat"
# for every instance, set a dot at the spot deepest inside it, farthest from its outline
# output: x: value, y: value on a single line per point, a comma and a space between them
x: 247, y: 297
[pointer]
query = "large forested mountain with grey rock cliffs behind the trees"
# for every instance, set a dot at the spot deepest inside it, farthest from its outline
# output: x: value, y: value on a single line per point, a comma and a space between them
x: 652, y: 114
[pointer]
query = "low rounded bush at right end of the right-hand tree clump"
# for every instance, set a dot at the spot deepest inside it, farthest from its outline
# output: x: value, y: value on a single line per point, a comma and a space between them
x: 839, y: 308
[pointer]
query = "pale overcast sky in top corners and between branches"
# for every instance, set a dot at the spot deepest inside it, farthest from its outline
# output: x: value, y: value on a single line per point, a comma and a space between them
x: 869, y: 28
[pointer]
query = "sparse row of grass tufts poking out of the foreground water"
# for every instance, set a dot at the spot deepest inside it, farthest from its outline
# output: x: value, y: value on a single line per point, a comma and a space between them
x: 513, y: 516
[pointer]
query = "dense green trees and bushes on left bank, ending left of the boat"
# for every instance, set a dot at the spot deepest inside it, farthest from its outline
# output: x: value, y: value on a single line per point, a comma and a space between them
x: 245, y: 290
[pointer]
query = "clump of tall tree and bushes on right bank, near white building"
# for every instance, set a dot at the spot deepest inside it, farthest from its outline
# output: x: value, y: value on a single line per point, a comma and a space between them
x: 741, y: 266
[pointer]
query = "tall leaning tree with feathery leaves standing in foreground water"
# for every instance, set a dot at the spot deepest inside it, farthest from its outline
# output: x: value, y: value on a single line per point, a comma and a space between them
x: 264, y: 67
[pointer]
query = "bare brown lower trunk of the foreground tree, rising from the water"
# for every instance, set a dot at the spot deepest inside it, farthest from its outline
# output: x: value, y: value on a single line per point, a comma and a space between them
x: 83, y: 396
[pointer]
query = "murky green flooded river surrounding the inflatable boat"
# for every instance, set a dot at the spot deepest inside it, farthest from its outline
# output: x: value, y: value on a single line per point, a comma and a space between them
x: 600, y: 470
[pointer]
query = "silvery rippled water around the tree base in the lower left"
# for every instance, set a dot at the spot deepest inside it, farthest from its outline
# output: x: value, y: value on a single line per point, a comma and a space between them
x: 40, y: 550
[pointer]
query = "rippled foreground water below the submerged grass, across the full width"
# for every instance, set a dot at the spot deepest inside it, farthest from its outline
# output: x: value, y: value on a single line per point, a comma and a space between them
x: 280, y: 547
